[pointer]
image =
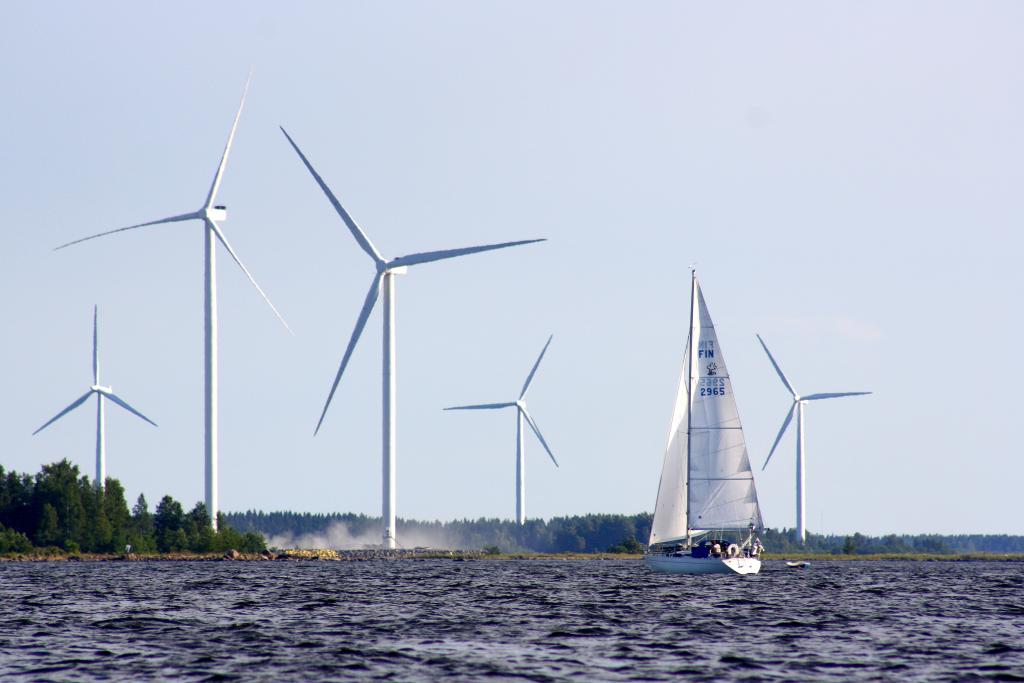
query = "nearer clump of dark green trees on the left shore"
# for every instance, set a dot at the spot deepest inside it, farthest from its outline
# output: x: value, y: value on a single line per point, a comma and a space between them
x: 60, y: 508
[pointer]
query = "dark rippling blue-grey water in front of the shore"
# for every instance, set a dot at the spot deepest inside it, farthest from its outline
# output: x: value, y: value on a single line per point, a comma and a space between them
x: 514, y: 619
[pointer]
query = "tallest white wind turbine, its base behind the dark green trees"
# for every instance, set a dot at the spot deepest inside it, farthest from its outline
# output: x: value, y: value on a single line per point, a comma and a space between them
x: 210, y: 215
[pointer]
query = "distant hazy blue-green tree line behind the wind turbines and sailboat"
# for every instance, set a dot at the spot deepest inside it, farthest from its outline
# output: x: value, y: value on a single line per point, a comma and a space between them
x: 598, y: 533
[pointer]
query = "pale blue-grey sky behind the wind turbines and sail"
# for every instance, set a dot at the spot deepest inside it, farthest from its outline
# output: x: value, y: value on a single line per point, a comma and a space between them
x: 844, y: 176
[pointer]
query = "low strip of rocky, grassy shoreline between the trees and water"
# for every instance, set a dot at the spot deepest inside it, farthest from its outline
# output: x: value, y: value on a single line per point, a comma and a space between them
x: 466, y: 556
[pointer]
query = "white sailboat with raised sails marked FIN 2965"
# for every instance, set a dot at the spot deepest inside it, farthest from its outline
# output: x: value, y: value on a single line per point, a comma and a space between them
x: 706, y: 496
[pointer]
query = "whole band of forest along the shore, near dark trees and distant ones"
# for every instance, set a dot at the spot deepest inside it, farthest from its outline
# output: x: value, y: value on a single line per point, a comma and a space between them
x: 61, y: 509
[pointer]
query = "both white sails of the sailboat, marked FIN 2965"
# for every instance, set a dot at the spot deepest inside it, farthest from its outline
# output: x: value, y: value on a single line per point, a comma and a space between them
x: 707, y: 483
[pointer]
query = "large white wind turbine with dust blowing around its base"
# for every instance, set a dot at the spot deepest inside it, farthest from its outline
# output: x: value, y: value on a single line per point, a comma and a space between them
x: 385, y: 280
